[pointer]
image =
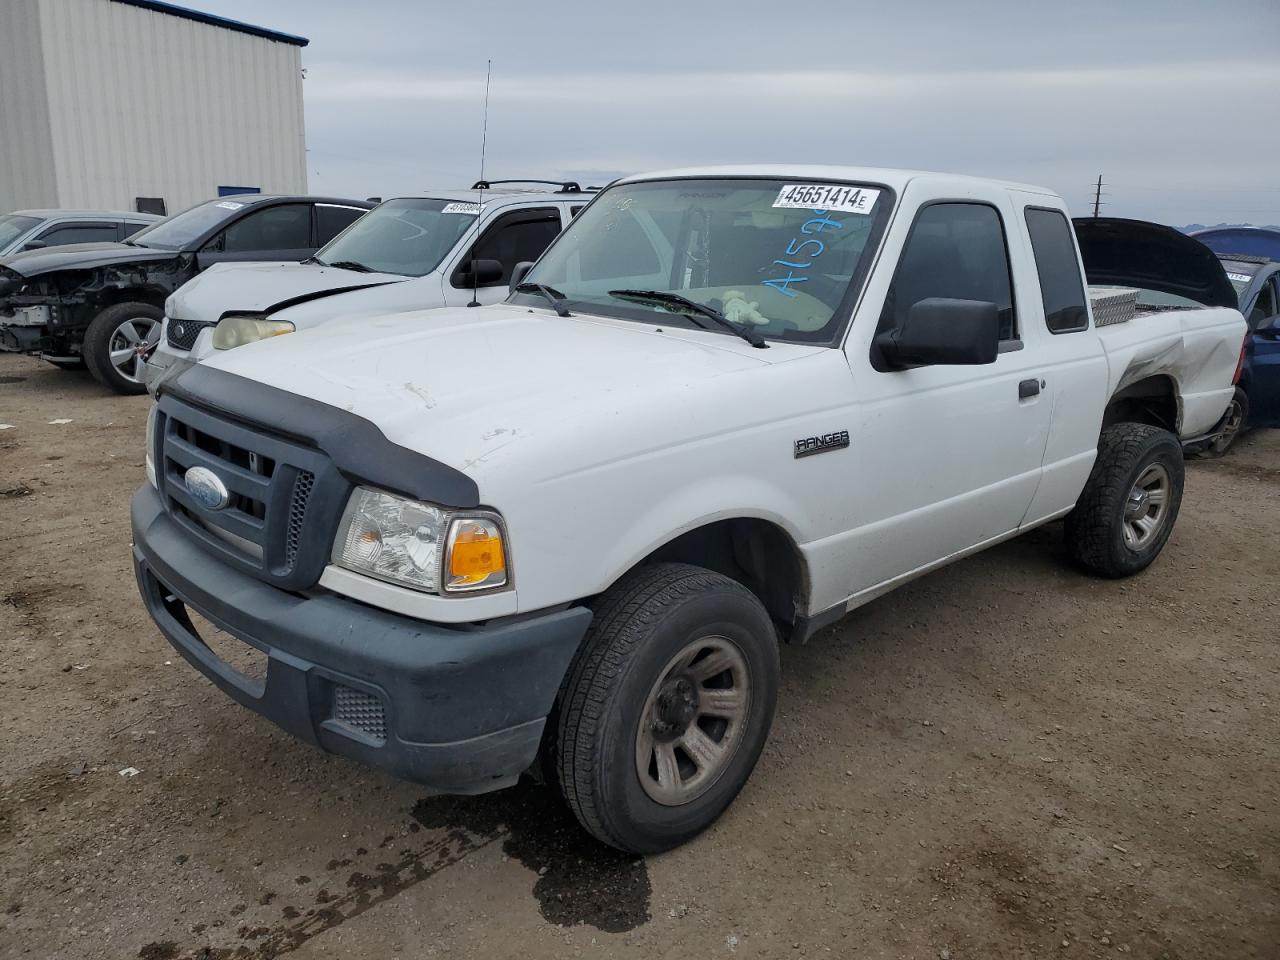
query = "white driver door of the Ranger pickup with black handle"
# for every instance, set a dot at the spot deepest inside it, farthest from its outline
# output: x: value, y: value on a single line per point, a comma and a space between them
x: 952, y: 455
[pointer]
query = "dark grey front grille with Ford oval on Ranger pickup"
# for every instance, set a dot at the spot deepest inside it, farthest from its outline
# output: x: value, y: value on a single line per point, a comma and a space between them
x: 285, y: 499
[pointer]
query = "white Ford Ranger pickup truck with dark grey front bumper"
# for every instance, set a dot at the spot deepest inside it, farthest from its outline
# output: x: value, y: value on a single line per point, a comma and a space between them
x: 566, y: 534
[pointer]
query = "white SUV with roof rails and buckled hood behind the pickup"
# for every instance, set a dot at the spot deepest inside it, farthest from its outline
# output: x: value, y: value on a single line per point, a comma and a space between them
x: 446, y: 250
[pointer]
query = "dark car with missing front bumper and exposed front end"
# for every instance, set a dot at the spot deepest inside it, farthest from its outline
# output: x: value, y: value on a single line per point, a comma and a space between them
x: 102, y: 304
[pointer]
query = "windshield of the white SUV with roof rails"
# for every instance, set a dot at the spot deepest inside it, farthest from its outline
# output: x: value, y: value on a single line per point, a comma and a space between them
x: 409, y: 237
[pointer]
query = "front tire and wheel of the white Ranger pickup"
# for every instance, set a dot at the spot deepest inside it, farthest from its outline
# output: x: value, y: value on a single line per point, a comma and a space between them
x: 666, y: 707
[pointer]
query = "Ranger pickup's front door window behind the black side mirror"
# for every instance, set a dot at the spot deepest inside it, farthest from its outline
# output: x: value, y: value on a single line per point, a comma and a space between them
x: 958, y: 252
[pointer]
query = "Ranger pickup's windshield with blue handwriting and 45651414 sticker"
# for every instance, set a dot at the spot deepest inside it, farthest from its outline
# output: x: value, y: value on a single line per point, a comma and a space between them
x: 778, y: 255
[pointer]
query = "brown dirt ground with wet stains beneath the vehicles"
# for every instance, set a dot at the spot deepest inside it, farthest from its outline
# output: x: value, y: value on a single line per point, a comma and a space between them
x: 1004, y: 760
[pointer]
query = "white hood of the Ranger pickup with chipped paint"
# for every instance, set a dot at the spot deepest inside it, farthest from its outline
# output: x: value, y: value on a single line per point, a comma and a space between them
x: 476, y: 388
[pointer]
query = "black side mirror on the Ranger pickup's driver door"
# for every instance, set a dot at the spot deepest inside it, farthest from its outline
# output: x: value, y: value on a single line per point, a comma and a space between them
x: 941, y: 331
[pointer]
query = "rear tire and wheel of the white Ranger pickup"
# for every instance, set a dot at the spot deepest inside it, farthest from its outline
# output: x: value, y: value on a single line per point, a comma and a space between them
x: 1130, y: 504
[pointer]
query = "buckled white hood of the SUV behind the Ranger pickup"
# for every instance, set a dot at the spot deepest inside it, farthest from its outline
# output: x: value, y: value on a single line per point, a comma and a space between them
x: 264, y: 289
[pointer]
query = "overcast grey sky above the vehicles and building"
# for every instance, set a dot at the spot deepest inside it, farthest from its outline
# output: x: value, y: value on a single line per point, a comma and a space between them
x: 1173, y: 102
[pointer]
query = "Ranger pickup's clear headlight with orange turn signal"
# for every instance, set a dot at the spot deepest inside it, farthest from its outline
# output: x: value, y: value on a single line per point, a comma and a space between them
x: 420, y: 545
